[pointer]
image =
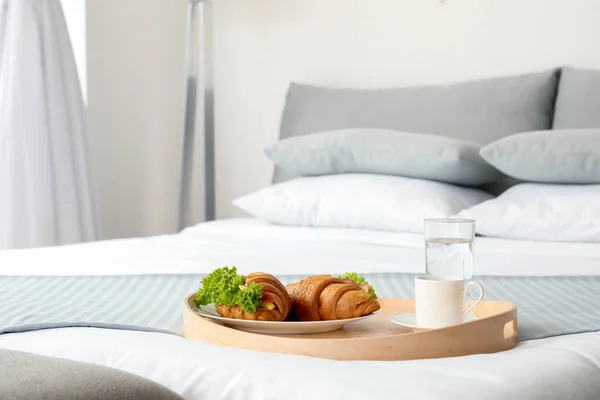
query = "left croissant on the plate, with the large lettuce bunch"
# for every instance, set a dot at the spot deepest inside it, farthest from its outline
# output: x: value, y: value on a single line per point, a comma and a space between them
x: 276, y: 303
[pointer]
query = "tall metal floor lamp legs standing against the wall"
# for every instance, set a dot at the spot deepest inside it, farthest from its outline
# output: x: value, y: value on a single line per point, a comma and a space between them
x: 198, y: 119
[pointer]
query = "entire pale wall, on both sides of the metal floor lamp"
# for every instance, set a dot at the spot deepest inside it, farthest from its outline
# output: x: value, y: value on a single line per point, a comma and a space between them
x: 135, y: 67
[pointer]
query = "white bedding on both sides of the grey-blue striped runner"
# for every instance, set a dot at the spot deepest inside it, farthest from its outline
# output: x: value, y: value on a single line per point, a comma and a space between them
x: 556, y: 368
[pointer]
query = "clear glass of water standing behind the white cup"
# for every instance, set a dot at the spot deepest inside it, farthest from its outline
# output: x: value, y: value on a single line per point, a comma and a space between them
x: 449, y: 247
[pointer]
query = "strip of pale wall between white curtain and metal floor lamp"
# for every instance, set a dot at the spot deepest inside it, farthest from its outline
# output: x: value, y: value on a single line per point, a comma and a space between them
x: 135, y: 95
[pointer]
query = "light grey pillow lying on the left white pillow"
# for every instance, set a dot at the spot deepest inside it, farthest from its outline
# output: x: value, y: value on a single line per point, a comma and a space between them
x: 386, y: 152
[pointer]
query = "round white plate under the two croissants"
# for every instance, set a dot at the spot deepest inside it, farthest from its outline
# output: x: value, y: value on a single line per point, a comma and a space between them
x: 277, y: 328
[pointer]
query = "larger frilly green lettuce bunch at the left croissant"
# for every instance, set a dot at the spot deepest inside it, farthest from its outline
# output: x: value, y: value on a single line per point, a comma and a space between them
x: 222, y: 286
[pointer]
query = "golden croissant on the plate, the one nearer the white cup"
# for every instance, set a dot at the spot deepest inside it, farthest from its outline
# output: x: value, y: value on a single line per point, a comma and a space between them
x: 323, y: 297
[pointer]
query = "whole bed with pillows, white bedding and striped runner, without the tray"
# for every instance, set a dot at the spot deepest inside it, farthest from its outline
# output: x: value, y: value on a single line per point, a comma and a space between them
x: 119, y: 303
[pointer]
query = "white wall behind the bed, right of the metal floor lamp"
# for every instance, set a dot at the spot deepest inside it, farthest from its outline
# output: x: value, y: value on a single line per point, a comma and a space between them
x: 261, y: 45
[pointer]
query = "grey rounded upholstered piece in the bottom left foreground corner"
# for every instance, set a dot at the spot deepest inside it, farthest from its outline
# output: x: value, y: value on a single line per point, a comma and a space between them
x: 26, y: 376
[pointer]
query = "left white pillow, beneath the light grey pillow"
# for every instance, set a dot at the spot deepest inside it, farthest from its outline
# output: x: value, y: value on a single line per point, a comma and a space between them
x: 366, y: 201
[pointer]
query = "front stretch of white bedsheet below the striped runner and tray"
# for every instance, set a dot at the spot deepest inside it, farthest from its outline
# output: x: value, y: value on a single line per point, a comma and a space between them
x: 557, y: 368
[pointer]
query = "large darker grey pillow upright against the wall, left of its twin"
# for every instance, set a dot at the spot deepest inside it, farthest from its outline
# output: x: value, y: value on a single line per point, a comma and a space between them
x: 479, y: 111
